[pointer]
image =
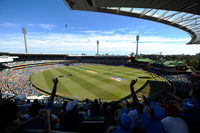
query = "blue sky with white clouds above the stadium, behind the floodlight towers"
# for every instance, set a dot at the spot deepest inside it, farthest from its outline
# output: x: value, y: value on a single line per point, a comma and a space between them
x: 46, y: 20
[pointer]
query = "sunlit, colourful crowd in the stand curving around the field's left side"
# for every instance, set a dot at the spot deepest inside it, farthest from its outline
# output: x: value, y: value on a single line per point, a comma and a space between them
x: 16, y: 82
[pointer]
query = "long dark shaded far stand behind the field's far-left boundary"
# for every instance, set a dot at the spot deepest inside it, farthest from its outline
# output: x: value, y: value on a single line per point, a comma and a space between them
x: 110, y: 60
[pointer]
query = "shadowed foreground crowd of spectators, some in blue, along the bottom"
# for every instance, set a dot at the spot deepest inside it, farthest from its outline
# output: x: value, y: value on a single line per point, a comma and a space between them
x: 172, y: 116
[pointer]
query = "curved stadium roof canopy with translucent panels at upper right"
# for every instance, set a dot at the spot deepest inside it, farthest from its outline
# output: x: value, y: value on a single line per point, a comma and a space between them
x: 183, y: 14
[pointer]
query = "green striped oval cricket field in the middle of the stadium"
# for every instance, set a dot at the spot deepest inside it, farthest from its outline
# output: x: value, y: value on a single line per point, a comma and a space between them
x: 92, y: 81
